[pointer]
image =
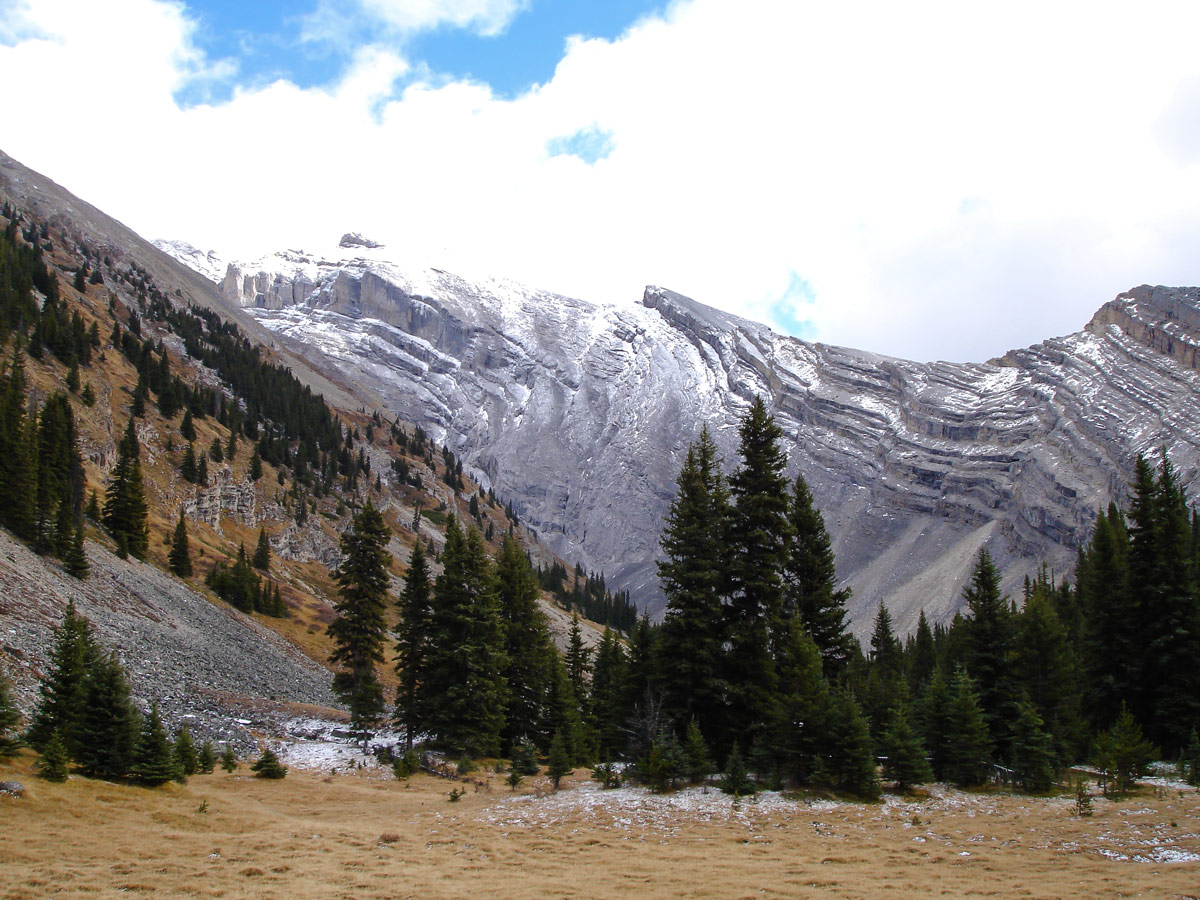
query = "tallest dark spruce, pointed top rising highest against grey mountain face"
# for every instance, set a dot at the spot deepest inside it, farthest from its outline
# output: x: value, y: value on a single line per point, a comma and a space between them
x: 759, y: 538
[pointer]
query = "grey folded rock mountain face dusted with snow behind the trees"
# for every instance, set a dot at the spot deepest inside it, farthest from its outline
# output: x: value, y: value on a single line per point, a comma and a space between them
x: 581, y: 416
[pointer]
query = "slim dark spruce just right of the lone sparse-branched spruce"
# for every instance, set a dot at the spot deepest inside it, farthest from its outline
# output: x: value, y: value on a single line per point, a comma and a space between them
x: 413, y: 637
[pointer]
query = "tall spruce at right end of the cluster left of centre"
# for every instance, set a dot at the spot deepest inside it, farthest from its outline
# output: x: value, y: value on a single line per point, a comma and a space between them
x: 529, y: 651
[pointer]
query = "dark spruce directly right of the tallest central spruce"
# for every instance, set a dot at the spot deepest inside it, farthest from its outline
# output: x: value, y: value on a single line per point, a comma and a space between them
x: 811, y: 581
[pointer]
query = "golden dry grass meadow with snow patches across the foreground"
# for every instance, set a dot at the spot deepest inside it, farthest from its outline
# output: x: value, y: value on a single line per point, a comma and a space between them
x: 358, y: 837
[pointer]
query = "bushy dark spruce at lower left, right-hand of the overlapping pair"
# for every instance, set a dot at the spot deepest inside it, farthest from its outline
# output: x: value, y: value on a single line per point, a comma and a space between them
x: 110, y: 725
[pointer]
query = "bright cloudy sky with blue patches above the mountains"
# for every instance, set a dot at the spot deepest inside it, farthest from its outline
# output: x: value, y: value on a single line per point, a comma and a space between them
x: 931, y: 181
